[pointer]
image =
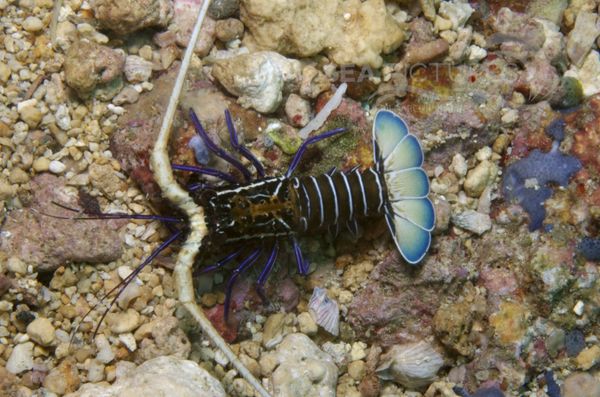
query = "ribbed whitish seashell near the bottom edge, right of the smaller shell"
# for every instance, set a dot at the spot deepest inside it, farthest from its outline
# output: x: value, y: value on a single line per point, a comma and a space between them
x: 413, y: 365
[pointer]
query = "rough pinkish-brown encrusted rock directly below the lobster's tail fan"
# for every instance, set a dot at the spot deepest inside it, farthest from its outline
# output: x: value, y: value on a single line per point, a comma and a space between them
x: 381, y: 309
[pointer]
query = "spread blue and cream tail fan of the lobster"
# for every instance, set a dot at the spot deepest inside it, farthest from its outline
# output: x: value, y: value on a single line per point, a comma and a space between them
x: 409, y: 212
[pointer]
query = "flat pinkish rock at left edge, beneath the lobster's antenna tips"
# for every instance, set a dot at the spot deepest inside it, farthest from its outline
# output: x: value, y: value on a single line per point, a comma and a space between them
x: 46, y: 242
